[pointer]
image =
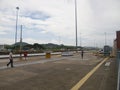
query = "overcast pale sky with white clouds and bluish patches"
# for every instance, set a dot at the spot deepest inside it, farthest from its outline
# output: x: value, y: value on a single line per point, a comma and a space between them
x: 53, y: 21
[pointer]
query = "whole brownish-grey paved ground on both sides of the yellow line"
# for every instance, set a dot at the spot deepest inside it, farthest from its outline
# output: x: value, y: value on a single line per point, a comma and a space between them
x: 57, y: 73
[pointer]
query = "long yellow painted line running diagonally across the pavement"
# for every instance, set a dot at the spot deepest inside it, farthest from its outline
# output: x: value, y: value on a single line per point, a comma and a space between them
x: 85, y: 78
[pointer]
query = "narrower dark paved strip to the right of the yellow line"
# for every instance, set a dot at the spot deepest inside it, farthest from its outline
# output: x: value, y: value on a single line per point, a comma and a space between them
x: 105, y: 78
